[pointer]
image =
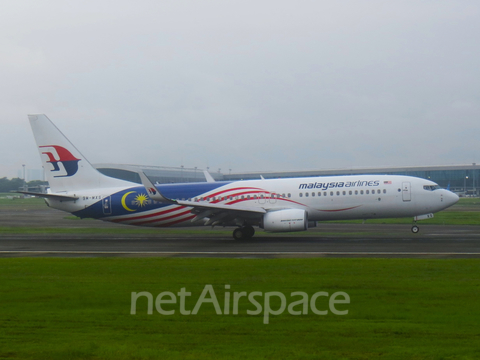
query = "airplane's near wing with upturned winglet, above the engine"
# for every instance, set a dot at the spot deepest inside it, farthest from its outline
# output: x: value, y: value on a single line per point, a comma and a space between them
x: 215, y: 212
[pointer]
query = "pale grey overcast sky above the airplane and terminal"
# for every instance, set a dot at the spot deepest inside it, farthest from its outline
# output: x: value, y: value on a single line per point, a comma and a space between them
x: 246, y: 85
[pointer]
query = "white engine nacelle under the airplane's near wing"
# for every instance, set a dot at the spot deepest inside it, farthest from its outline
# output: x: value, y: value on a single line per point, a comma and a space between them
x: 286, y: 220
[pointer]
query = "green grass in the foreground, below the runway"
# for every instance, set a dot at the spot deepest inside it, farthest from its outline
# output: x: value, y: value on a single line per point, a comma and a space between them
x: 80, y: 309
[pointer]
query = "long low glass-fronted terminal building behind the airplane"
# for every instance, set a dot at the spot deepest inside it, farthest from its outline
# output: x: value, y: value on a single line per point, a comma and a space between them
x: 462, y: 179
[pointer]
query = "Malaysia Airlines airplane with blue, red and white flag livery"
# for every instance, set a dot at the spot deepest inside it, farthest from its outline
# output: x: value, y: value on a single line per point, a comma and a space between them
x: 276, y: 205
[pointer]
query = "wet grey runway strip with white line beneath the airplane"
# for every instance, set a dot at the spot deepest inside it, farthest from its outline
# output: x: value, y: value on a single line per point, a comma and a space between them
x: 440, y: 242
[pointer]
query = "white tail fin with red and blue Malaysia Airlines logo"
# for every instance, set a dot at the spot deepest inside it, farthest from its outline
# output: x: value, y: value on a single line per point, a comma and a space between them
x: 65, y: 167
